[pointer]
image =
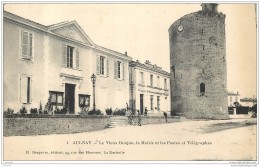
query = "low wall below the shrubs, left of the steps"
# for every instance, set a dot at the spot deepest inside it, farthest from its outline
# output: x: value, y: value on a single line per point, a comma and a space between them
x: 56, y: 124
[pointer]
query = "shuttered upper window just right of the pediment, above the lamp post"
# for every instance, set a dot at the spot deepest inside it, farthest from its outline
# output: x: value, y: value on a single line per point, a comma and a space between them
x: 102, y: 66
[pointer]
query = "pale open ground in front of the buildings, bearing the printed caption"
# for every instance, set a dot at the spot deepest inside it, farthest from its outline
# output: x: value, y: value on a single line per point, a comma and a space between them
x: 187, y: 140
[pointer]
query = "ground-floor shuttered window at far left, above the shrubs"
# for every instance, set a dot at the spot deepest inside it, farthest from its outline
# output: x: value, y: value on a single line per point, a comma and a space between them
x: 25, y: 89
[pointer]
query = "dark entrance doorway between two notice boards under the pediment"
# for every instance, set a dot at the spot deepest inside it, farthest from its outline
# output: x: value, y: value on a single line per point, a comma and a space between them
x: 70, y: 98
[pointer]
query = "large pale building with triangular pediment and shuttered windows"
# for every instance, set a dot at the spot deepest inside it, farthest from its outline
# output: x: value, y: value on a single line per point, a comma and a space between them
x: 54, y: 64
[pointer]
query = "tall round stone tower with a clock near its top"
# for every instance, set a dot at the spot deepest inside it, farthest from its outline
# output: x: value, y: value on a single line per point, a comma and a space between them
x: 198, y: 64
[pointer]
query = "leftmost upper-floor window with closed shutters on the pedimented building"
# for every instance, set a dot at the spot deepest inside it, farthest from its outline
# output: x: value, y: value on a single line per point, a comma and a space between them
x: 26, y: 45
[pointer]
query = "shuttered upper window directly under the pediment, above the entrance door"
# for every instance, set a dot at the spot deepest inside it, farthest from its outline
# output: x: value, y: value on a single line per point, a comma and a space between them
x: 70, y: 56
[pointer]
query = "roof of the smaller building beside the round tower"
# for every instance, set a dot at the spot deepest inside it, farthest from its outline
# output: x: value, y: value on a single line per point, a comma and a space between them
x: 148, y: 66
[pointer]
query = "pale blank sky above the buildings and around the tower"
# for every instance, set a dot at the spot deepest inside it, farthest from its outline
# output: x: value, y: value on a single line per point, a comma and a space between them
x: 142, y: 31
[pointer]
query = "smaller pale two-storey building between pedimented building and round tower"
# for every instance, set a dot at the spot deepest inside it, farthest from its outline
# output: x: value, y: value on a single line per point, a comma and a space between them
x: 149, y: 87
